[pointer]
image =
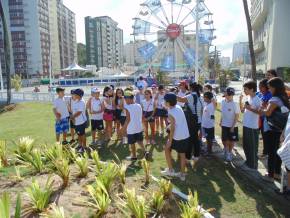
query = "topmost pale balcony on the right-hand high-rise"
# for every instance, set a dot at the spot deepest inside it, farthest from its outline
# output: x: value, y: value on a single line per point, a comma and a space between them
x: 259, y: 12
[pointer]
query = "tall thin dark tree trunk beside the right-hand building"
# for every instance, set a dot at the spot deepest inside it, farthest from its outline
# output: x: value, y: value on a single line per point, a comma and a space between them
x: 251, y: 44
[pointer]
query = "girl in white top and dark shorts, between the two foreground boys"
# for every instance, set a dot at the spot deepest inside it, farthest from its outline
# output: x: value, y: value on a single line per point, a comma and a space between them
x: 148, y: 116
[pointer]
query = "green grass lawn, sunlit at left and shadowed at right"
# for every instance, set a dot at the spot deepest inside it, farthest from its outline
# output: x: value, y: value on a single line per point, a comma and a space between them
x: 219, y: 186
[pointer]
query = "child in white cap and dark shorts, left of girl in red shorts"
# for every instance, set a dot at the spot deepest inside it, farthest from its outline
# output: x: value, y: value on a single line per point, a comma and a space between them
x: 96, y: 109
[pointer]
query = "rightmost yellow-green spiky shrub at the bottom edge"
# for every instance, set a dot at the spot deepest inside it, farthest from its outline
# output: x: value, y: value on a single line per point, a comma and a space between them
x: 191, y: 208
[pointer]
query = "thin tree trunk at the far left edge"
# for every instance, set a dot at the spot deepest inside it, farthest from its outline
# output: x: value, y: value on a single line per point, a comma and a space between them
x: 6, y: 52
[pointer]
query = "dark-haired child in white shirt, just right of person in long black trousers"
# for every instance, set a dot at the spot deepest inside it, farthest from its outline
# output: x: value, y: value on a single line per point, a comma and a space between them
x: 208, y: 119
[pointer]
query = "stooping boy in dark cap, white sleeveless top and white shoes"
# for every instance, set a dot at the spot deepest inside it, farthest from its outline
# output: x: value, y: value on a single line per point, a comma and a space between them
x: 178, y: 138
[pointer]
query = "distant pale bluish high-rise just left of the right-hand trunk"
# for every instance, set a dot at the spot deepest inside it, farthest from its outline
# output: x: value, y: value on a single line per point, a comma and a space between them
x: 241, y: 53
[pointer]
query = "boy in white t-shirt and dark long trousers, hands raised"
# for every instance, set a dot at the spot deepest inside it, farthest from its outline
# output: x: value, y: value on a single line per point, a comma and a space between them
x: 251, y: 123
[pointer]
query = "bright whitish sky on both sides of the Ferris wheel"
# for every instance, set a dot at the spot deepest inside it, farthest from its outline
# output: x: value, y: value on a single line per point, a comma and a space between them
x: 228, y: 16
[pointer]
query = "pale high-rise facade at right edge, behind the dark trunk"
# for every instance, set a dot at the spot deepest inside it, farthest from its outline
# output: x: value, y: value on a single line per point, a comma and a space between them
x: 270, y: 22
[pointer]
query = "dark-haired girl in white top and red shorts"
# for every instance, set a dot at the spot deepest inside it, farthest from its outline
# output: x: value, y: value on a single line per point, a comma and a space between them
x: 108, y: 116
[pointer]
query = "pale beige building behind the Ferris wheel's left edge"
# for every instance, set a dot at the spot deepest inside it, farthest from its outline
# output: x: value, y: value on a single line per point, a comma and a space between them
x: 131, y: 54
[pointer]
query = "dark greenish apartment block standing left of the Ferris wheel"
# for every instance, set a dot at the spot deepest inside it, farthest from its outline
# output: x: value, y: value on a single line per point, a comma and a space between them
x: 104, y: 42
